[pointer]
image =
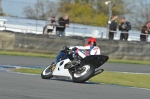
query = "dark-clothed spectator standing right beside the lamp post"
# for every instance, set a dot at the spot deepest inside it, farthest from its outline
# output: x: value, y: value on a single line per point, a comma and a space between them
x: 113, y: 27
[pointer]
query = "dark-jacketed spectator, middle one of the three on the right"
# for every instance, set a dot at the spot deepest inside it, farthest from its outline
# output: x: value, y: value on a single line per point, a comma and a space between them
x: 124, y: 27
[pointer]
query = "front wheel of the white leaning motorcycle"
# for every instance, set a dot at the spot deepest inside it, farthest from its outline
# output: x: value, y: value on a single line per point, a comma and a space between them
x: 47, y: 73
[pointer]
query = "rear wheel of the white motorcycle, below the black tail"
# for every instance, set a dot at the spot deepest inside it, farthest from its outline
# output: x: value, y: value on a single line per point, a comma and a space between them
x: 84, y: 74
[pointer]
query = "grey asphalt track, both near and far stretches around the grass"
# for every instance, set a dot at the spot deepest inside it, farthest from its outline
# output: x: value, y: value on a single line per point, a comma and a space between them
x: 20, y: 86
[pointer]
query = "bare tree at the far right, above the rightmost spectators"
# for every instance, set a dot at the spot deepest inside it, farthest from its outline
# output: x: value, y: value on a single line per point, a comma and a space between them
x: 139, y: 12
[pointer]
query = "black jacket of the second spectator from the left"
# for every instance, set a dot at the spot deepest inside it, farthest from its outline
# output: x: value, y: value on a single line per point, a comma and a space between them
x: 62, y: 24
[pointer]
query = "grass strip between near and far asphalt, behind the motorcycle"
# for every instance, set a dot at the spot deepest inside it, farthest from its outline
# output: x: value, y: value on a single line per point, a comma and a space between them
x: 124, y: 79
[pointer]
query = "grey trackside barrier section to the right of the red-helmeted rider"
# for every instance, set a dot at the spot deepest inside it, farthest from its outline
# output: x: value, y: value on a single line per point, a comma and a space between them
x: 126, y: 50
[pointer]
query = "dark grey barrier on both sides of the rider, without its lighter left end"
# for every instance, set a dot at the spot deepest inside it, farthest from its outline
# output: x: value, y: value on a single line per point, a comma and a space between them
x: 52, y: 44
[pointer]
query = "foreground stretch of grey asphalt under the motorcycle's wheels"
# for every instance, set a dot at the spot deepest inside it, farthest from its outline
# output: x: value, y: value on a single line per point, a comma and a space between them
x: 14, y: 86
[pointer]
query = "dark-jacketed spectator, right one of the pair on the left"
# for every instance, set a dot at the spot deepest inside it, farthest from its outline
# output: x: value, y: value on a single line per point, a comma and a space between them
x: 63, y: 23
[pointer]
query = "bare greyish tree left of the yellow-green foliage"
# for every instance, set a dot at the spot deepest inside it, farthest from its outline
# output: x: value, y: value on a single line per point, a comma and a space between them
x: 41, y: 10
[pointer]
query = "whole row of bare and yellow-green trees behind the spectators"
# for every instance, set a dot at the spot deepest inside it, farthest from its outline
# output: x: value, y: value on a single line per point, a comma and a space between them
x: 91, y: 12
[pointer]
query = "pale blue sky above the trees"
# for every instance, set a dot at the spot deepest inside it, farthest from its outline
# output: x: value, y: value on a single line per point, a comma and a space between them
x: 15, y: 7
